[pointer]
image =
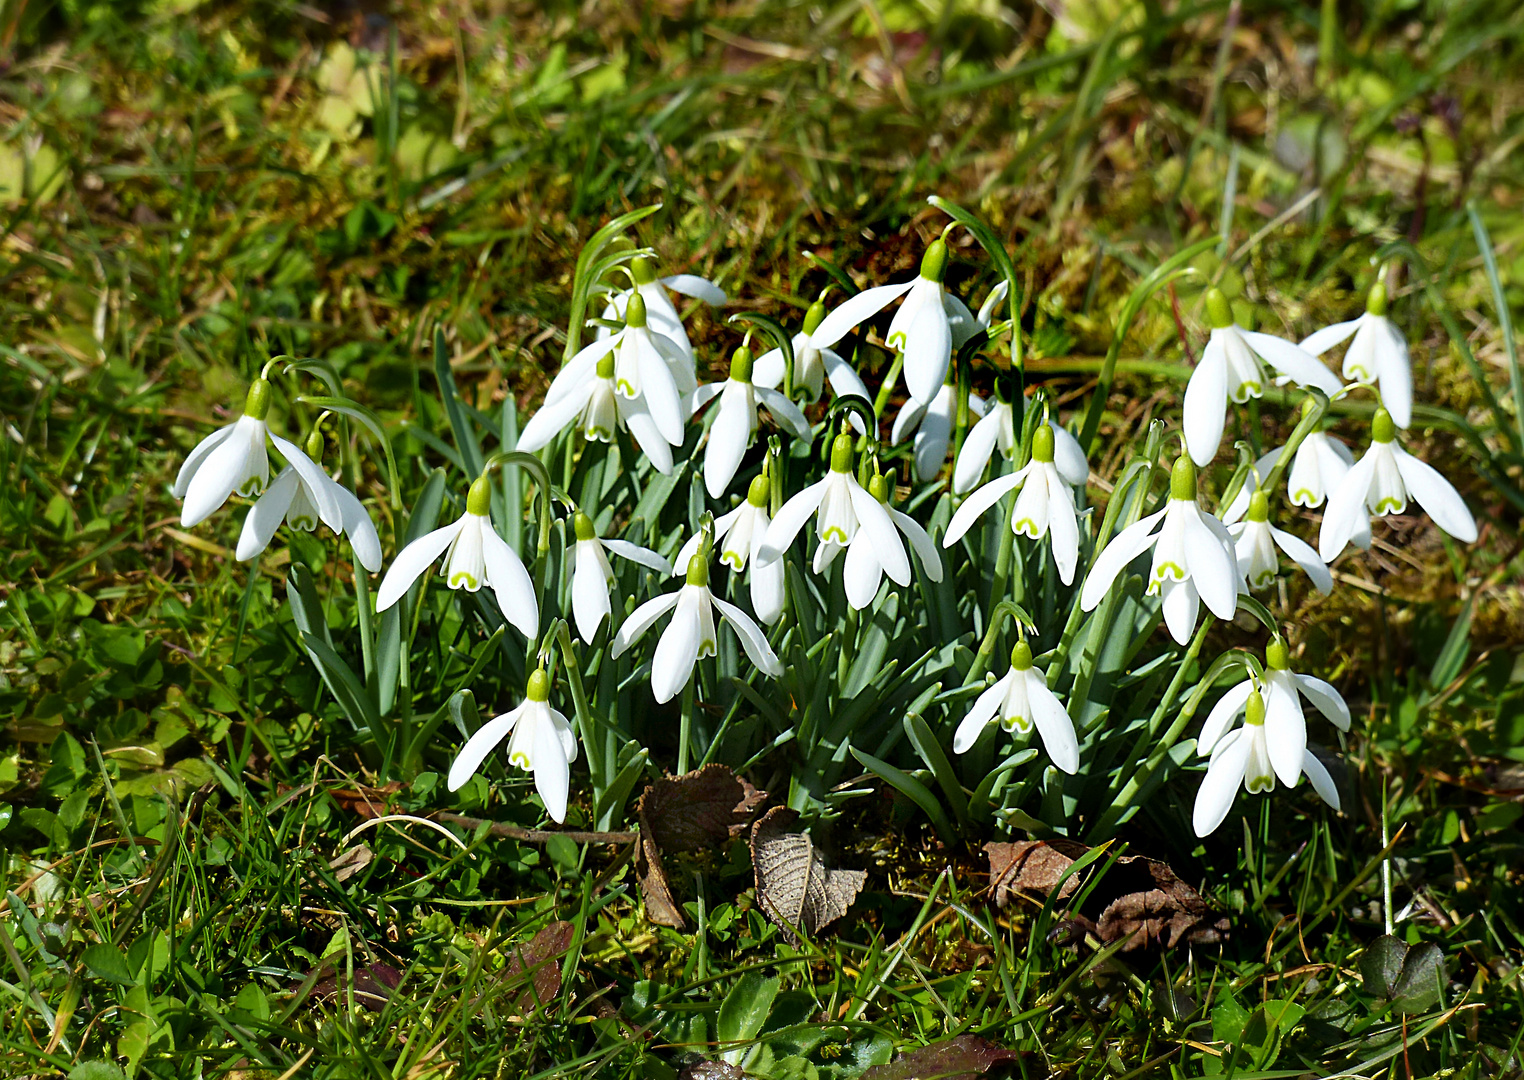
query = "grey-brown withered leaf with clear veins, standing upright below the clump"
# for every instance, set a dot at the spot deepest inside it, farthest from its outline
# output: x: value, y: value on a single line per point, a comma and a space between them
x: 795, y: 884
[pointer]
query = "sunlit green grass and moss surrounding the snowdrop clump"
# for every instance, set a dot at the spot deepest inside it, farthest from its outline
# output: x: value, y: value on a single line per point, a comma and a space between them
x: 179, y: 788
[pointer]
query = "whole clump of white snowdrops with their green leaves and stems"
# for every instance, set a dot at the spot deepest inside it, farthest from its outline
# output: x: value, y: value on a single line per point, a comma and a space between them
x: 748, y: 570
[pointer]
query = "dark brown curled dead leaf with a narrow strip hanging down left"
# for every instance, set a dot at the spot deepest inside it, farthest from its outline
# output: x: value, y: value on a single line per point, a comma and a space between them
x: 687, y: 814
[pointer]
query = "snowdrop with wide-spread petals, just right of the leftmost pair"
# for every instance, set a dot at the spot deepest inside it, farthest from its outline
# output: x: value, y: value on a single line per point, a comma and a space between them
x: 475, y: 557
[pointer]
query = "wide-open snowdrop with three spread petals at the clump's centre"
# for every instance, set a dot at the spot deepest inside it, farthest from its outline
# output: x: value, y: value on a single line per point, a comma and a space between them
x: 842, y: 506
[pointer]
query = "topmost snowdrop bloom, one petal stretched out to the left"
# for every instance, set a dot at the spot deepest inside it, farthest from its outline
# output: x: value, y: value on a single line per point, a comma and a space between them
x: 921, y: 328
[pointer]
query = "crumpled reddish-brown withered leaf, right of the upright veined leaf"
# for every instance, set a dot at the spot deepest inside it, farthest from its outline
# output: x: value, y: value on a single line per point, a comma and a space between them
x: 1142, y: 898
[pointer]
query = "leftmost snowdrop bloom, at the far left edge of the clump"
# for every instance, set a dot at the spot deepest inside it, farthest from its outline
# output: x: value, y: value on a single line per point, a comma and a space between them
x: 234, y: 459
